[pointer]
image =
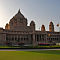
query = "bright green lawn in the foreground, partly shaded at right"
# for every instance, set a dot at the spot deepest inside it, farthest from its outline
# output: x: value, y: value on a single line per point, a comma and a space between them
x: 30, y: 55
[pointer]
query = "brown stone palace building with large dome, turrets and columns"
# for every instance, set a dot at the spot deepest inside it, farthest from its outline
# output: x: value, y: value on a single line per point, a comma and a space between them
x: 18, y: 32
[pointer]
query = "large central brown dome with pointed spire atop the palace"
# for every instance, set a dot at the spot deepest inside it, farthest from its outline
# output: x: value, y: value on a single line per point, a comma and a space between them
x: 18, y: 21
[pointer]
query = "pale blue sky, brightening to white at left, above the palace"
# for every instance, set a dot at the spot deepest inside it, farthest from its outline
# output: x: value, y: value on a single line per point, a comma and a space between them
x: 40, y: 11
